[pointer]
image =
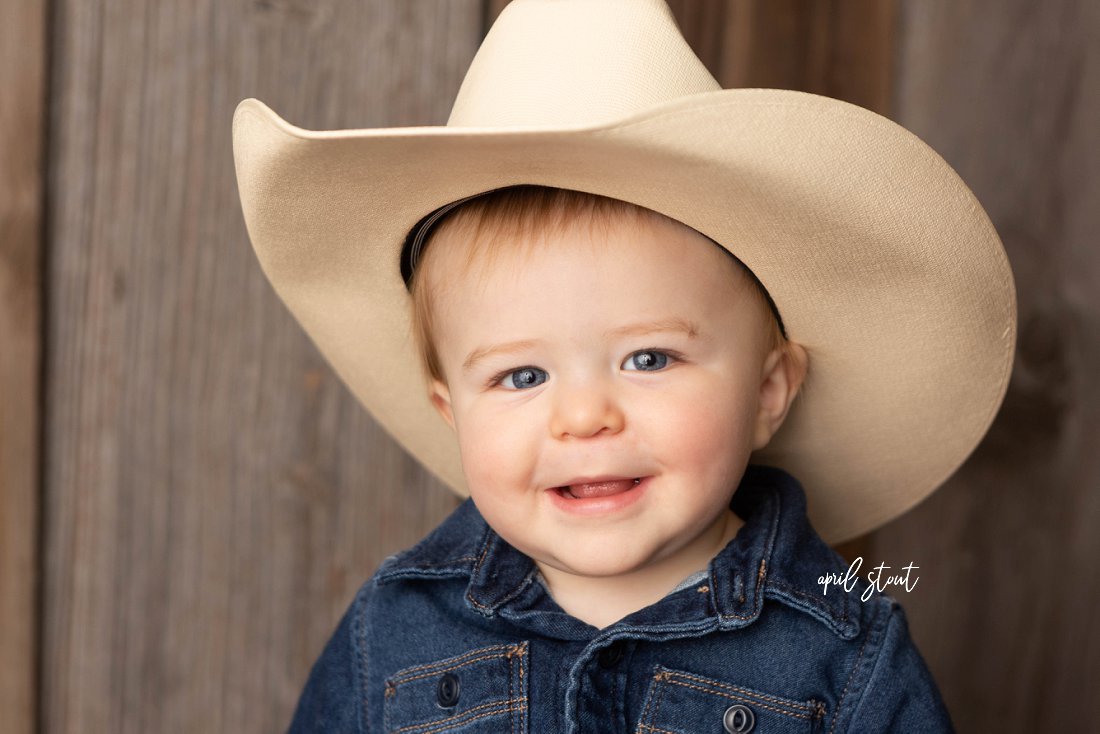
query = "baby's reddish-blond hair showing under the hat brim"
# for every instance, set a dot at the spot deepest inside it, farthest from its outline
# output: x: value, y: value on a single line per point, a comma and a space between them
x: 521, y: 216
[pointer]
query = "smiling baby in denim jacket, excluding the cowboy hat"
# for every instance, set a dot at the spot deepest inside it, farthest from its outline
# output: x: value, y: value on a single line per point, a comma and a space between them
x: 609, y: 373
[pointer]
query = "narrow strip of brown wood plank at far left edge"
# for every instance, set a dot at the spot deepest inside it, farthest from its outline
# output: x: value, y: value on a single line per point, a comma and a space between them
x: 23, y: 212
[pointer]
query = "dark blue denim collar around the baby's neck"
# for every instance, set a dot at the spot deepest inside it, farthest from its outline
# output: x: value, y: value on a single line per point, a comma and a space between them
x: 776, y: 555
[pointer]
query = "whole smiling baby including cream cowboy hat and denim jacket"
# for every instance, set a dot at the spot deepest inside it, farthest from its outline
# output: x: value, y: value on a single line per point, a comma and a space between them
x: 631, y: 313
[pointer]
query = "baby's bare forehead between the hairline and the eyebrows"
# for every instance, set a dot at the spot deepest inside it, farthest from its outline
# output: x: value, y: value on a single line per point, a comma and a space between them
x: 614, y: 268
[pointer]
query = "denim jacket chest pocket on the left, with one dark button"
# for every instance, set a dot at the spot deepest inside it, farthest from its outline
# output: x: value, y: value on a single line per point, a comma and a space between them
x: 480, y: 692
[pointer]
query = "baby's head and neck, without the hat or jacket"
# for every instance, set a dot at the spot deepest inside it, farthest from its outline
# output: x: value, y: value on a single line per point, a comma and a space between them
x: 608, y: 373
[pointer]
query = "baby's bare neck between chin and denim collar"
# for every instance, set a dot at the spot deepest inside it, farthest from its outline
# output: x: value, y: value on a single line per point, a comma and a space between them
x: 601, y: 601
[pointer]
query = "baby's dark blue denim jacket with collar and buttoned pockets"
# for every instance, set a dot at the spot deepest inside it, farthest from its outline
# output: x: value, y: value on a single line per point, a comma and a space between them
x: 456, y: 634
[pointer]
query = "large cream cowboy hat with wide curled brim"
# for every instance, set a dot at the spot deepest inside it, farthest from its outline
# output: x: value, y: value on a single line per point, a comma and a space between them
x: 881, y: 260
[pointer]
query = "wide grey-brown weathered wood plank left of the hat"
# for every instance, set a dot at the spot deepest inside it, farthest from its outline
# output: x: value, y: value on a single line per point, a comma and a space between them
x: 215, y: 496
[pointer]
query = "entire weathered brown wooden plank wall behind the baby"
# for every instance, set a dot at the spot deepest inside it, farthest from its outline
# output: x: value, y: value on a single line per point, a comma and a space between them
x: 212, y: 497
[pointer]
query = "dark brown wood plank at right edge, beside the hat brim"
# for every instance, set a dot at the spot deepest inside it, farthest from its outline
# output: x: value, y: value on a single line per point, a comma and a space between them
x: 1009, y: 93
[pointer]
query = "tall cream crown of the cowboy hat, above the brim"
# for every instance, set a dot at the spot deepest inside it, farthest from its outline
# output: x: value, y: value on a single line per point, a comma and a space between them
x: 564, y: 63
